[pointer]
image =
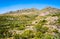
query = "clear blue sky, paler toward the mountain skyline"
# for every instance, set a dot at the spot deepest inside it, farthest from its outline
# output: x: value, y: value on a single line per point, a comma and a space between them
x: 12, y: 5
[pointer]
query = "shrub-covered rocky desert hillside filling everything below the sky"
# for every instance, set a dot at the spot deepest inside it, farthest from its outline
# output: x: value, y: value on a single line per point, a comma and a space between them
x: 31, y: 24
